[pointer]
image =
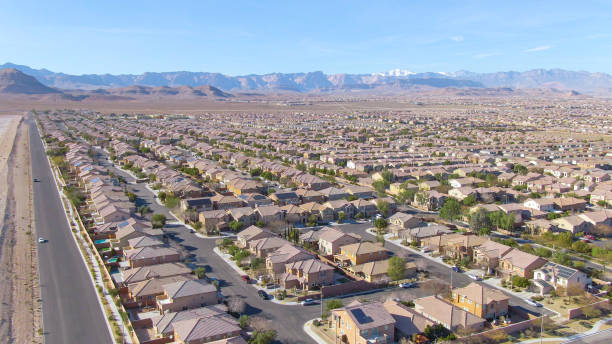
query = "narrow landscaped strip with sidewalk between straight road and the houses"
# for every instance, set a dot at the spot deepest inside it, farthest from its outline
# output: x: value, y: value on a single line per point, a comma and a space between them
x: 116, y: 317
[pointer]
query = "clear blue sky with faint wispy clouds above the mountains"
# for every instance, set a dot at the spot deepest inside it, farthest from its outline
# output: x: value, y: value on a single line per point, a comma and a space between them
x: 243, y: 37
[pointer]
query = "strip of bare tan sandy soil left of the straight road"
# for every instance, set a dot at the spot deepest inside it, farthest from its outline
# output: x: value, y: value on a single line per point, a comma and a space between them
x: 20, y: 314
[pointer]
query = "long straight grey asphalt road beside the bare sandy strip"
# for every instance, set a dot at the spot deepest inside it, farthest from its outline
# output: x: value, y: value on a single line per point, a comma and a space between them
x: 71, y: 312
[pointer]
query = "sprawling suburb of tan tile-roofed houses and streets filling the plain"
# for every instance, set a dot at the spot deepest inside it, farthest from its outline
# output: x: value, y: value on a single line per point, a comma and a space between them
x: 369, y: 227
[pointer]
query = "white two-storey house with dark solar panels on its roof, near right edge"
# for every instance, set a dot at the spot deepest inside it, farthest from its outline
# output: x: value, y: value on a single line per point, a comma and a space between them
x: 552, y: 275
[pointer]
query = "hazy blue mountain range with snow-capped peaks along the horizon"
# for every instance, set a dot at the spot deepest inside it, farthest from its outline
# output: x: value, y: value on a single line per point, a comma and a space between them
x: 584, y: 82
